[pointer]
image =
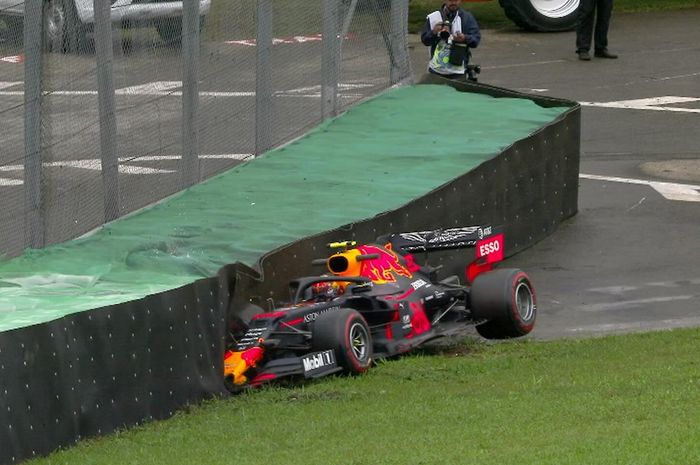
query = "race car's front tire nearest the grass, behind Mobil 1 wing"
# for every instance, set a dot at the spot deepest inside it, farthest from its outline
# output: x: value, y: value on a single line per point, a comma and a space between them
x: 346, y: 332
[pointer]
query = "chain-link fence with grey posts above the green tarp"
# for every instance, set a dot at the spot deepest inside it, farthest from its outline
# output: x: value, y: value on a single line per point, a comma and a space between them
x: 106, y: 107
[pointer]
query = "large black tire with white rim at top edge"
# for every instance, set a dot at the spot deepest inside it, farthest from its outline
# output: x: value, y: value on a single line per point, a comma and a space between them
x: 542, y: 15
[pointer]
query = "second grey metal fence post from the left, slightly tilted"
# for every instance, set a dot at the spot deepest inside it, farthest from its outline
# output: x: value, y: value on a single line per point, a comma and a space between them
x: 105, y: 101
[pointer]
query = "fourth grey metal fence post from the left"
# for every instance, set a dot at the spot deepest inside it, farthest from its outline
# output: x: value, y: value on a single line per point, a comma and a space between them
x: 263, y: 77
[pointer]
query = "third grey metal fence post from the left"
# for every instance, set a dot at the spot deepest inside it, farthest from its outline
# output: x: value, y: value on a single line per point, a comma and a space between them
x: 190, y: 93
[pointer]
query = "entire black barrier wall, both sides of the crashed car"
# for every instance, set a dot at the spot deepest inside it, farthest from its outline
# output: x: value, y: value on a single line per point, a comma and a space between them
x: 94, y: 372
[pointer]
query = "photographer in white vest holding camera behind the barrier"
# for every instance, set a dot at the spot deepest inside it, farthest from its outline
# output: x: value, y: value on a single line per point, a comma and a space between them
x: 450, y: 32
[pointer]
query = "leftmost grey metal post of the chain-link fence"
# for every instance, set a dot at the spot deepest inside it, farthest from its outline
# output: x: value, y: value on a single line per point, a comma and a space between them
x: 34, y: 234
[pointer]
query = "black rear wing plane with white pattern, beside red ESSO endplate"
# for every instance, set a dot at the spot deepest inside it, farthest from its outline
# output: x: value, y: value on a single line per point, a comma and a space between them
x: 439, y: 239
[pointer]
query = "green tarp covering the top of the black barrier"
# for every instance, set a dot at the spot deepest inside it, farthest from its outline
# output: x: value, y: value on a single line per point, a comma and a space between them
x: 378, y: 156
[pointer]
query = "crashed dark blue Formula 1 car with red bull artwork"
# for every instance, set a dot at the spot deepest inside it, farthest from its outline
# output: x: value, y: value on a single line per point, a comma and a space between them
x: 376, y: 302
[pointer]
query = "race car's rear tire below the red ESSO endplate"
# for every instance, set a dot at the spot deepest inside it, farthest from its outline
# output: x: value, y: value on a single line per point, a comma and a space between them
x: 506, y: 300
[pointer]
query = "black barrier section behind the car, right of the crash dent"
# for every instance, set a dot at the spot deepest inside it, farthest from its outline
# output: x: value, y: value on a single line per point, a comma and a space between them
x: 525, y: 191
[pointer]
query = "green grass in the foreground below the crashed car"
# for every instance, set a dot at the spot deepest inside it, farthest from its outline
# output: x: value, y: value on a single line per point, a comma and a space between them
x: 631, y: 399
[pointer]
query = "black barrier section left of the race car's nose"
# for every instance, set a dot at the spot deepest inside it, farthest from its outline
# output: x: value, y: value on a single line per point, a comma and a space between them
x: 94, y: 372
